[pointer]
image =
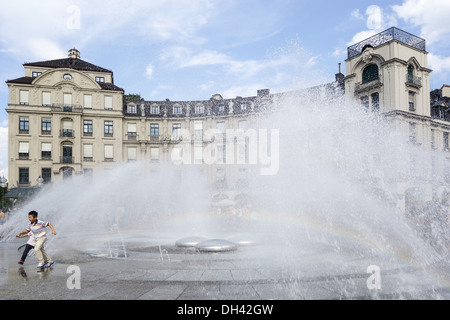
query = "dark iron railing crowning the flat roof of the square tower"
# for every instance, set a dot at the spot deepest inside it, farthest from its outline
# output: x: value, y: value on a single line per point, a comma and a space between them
x: 386, y: 36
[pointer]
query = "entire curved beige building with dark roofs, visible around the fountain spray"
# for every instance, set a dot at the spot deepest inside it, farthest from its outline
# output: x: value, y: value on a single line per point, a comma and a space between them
x: 67, y: 117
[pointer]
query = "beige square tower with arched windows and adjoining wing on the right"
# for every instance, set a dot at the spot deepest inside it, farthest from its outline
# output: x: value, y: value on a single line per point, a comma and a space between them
x: 388, y: 74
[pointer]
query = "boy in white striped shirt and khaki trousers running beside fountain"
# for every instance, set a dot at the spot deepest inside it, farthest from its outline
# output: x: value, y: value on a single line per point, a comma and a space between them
x: 37, y: 227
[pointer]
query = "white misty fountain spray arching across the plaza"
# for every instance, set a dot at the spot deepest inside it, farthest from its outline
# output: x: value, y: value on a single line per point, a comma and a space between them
x: 330, y: 211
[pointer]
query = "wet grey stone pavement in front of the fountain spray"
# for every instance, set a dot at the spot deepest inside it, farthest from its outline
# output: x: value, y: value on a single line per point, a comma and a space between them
x: 163, y: 271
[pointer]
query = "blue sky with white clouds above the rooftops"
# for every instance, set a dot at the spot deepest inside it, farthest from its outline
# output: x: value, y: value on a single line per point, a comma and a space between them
x: 193, y: 49
